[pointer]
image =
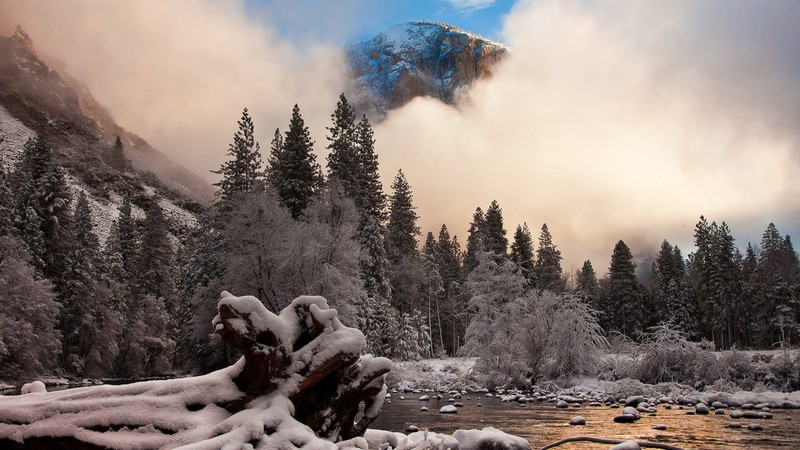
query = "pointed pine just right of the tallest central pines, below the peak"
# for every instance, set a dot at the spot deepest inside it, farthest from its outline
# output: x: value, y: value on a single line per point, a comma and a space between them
x: 402, y: 230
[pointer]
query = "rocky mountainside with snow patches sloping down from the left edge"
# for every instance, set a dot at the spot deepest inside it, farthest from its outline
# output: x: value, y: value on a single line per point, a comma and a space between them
x: 35, y: 98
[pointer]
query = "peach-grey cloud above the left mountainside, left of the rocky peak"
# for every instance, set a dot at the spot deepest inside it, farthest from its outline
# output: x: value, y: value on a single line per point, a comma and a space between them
x: 180, y: 72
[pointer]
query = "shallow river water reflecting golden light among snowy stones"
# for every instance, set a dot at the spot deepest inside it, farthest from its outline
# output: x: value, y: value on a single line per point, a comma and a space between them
x: 543, y: 423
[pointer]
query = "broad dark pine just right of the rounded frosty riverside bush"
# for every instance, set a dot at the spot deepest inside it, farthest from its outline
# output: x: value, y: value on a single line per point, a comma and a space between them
x: 621, y: 297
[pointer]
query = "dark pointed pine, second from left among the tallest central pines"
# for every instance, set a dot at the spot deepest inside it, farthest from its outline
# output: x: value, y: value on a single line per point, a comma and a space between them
x: 293, y: 170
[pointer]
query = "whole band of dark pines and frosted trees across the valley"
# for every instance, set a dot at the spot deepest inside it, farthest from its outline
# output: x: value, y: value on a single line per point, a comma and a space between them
x: 141, y: 303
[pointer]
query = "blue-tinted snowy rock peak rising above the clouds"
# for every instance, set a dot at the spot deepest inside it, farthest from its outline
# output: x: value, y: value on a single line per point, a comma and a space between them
x: 419, y: 58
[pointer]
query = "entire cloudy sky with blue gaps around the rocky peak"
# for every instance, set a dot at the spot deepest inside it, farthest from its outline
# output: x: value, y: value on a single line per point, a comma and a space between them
x: 610, y: 119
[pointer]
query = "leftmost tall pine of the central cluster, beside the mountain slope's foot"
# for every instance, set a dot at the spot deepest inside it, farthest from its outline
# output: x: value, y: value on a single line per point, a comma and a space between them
x: 243, y: 171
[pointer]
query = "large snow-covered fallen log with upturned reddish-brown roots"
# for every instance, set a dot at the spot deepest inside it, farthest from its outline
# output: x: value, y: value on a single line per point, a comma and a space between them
x: 300, y: 384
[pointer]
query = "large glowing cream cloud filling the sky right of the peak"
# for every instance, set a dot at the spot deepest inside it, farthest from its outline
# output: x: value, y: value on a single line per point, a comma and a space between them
x: 614, y: 121
